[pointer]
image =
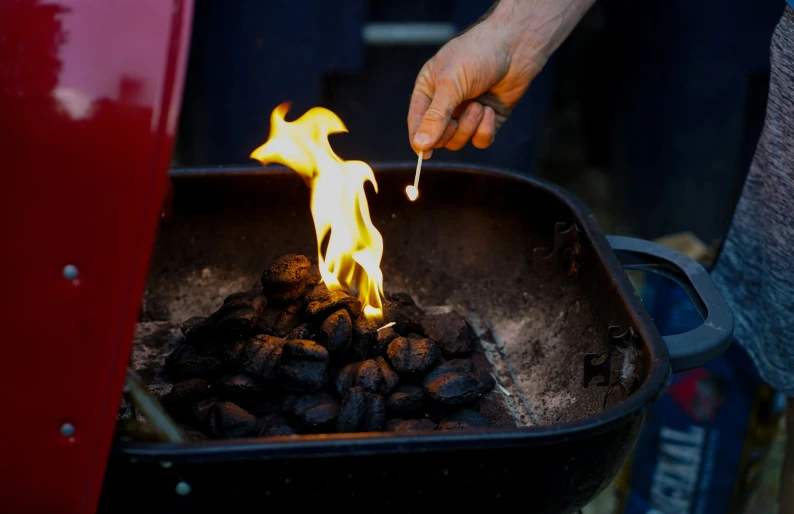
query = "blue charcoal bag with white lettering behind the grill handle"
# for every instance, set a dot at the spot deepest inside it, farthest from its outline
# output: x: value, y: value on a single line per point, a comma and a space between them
x: 702, y: 443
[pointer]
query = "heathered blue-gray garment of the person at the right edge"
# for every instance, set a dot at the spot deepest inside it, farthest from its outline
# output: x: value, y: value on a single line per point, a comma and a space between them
x: 755, y: 270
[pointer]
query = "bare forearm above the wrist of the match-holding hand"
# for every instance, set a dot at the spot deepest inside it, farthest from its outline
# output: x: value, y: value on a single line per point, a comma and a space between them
x: 537, y: 27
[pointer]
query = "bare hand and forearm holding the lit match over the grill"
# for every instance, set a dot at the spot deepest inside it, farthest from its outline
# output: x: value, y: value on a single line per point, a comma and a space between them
x: 469, y: 88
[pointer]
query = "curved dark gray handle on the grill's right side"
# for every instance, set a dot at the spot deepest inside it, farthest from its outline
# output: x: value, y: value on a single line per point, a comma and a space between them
x: 708, y: 341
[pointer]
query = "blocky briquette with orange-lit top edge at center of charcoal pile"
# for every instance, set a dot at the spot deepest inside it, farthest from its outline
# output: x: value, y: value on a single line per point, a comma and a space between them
x: 304, y: 365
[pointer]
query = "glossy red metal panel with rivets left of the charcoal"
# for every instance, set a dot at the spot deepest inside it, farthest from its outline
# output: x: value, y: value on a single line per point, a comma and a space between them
x: 90, y: 93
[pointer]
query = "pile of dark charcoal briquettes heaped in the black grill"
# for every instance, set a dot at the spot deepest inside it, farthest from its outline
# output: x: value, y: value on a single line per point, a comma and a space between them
x: 292, y: 357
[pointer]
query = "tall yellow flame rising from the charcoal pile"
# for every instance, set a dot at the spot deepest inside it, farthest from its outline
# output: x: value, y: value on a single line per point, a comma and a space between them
x: 338, y: 201
